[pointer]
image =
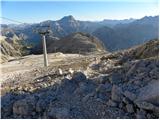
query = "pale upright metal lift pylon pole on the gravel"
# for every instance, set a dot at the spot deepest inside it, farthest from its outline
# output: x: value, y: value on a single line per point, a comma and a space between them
x: 45, y: 51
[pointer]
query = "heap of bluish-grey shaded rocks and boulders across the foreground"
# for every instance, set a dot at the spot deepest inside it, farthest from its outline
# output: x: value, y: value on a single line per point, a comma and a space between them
x: 128, y: 90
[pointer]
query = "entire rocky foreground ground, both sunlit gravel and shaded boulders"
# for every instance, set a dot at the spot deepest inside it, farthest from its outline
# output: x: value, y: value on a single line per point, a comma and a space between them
x: 123, y: 84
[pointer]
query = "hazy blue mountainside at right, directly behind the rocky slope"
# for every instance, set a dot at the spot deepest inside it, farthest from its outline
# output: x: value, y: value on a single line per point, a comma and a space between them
x: 124, y: 36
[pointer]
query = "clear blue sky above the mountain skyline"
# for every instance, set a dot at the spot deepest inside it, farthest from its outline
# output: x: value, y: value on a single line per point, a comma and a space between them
x: 37, y: 11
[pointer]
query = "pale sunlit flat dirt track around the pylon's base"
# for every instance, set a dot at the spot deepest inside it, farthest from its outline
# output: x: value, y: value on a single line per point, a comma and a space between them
x: 29, y: 63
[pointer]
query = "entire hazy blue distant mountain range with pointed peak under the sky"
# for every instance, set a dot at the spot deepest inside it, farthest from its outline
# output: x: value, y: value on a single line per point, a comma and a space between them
x: 115, y: 34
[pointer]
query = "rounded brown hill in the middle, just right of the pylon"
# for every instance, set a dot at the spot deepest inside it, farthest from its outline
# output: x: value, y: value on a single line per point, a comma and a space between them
x: 77, y: 43
